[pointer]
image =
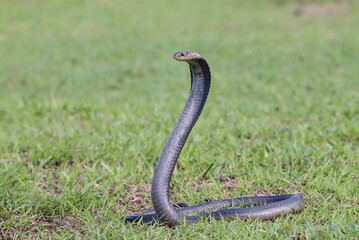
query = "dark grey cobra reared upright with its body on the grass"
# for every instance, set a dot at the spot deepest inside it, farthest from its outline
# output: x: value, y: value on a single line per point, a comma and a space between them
x: 253, y: 207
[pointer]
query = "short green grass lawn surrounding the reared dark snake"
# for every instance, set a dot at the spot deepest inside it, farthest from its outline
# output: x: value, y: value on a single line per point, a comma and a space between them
x: 89, y: 93
